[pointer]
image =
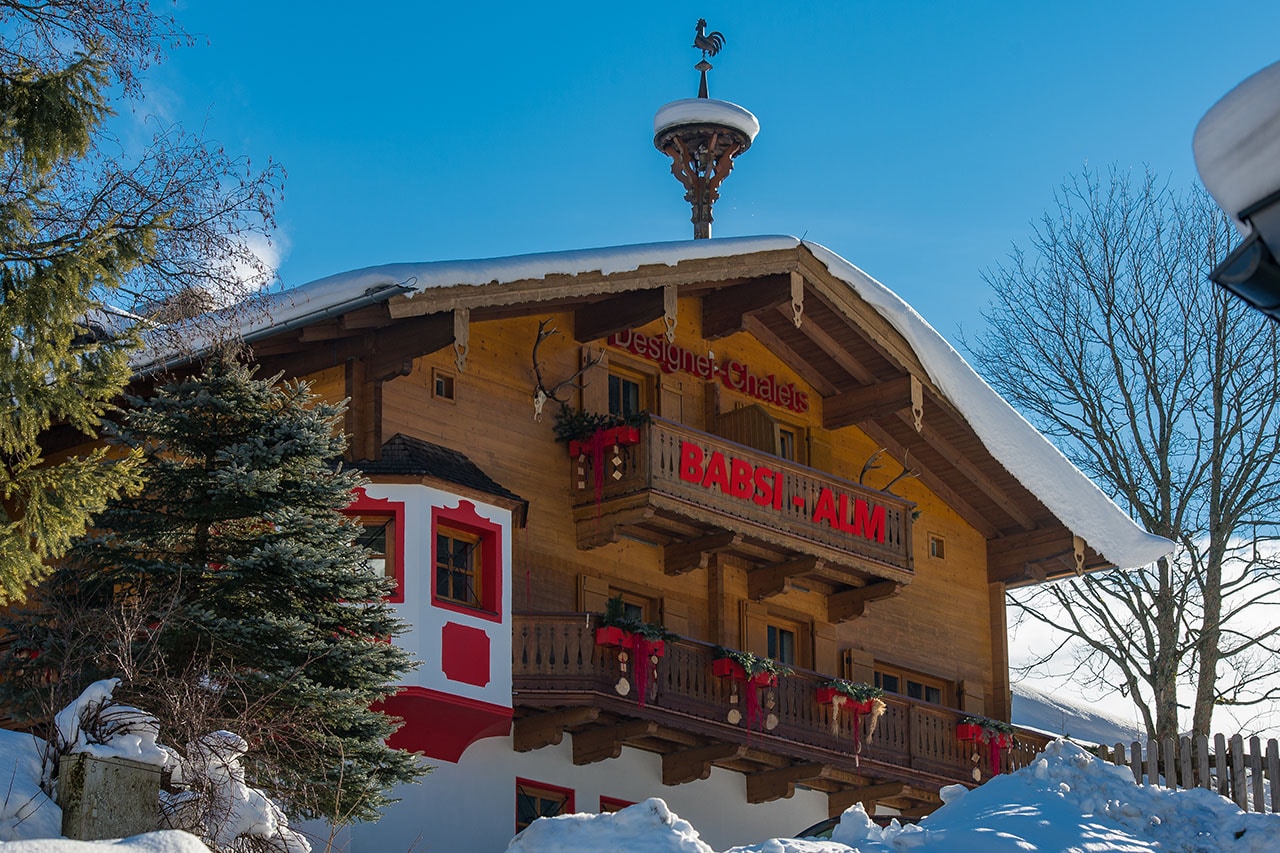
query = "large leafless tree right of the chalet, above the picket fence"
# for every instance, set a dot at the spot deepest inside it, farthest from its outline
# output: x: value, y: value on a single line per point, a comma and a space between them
x: 1112, y: 340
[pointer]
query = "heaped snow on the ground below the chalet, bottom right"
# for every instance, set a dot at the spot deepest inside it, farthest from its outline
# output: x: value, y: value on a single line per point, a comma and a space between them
x: 1067, y: 801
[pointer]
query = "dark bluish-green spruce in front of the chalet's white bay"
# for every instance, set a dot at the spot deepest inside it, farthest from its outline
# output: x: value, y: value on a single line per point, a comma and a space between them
x: 232, y: 595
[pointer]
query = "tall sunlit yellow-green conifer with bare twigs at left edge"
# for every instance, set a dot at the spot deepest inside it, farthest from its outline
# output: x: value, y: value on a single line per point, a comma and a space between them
x: 89, y: 223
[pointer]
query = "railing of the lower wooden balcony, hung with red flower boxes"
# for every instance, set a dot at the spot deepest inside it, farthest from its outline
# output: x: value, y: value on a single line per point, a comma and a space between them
x: 556, y: 662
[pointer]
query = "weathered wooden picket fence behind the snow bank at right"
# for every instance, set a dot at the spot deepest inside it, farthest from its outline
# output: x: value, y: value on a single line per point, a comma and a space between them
x: 1242, y: 772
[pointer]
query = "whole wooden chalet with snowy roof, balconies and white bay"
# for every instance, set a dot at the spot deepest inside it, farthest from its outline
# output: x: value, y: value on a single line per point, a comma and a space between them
x: 822, y: 482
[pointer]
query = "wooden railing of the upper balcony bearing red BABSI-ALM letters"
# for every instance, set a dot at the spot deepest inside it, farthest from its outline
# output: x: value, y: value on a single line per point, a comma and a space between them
x: 748, y: 491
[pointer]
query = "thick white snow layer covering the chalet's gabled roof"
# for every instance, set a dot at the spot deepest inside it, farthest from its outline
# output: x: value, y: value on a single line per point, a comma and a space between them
x: 1018, y: 446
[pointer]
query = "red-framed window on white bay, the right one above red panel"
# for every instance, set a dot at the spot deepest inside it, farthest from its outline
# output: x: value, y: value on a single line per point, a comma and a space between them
x: 467, y: 562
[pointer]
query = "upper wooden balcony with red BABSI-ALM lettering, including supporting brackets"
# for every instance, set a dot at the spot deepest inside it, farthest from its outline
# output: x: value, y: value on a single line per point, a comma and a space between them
x: 693, y: 495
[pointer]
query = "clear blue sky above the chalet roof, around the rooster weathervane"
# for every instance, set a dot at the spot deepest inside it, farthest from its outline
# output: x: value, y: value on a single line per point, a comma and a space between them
x: 918, y: 140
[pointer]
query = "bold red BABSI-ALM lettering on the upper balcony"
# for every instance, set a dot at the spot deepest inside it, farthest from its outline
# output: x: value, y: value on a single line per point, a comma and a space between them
x: 761, y: 485
